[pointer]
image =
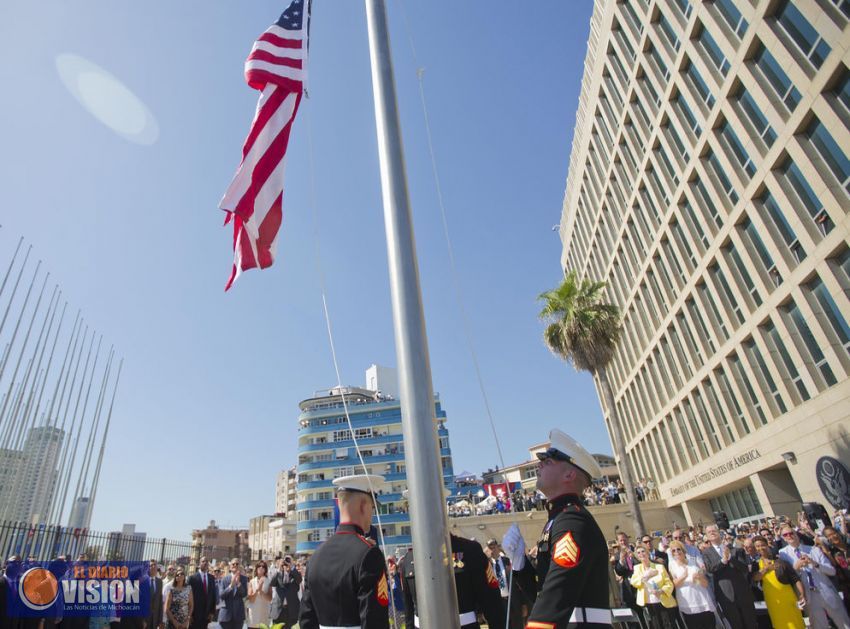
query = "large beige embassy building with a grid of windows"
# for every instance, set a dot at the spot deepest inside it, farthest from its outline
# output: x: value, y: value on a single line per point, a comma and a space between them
x: 709, y: 187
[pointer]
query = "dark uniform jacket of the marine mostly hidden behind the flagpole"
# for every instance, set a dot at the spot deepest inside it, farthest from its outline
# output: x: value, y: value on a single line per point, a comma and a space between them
x: 476, y: 583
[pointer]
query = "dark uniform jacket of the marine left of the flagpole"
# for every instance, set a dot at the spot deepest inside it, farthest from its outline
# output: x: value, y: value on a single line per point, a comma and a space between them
x: 346, y: 584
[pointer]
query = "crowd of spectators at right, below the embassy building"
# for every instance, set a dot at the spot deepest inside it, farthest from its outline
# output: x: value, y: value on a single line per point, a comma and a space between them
x: 704, y: 577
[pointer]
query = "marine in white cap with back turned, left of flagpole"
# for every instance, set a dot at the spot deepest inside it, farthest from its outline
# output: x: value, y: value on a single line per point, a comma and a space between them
x: 346, y: 582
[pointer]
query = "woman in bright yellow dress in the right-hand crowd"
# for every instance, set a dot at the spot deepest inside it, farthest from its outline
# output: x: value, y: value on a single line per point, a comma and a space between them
x: 781, y: 599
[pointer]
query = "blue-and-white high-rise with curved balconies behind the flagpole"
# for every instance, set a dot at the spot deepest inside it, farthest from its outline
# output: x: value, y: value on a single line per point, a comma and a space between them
x: 326, y: 451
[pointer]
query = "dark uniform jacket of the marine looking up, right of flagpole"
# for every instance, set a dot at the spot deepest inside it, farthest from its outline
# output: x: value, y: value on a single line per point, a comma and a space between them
x: 572, y: 569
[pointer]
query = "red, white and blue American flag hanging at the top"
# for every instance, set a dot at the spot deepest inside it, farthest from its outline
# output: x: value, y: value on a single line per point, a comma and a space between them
x: 277, y: 68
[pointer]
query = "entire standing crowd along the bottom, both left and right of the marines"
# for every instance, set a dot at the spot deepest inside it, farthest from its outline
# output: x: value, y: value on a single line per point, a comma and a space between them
x: 774, y: 572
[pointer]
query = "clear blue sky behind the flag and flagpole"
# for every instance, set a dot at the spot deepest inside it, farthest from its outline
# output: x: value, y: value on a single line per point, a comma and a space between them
x: 208, y: 405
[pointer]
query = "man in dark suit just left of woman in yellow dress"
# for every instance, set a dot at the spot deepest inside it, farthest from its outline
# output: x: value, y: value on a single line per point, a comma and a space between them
x: 728, y: 570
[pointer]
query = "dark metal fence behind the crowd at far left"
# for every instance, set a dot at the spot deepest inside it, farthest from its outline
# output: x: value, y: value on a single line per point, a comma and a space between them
x: 41, y: 542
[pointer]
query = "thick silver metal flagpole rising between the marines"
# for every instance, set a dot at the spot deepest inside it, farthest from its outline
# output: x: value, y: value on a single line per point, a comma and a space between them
x: 436, y: 596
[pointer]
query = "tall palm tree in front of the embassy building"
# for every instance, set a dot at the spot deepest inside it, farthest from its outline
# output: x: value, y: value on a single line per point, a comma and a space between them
x: 584, y: 330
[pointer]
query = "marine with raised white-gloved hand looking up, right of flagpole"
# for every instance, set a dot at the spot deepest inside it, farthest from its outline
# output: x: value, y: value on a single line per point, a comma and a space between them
x: 572, y: 555
